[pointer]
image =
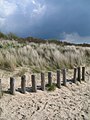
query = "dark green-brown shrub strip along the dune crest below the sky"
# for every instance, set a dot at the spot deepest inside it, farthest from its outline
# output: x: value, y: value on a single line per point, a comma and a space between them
x: 12, y: 36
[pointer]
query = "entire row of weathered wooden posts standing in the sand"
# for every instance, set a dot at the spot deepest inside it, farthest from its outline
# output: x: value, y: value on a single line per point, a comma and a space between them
x: 79, y: 74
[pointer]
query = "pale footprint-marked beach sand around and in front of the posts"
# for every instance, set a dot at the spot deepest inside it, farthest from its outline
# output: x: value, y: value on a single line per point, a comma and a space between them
x: 68, y: 103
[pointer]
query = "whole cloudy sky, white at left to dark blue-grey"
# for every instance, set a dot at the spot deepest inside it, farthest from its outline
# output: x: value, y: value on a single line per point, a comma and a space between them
x: 67, y: 20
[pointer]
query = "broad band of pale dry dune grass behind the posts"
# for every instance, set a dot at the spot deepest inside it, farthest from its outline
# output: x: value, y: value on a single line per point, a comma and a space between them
x: 41, y: 56
